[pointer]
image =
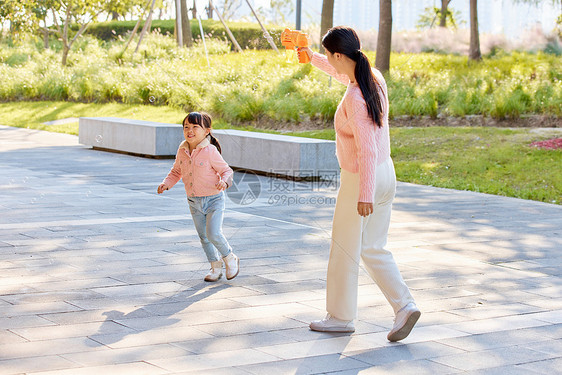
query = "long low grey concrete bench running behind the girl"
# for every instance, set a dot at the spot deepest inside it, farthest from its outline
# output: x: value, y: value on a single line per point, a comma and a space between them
x: 261, y: 152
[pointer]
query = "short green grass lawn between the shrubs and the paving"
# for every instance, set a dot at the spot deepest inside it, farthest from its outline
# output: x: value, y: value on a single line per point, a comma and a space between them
x: 488, y: 160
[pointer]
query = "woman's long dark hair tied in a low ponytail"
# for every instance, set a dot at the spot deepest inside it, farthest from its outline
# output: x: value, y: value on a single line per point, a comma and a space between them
x: 344, y: 40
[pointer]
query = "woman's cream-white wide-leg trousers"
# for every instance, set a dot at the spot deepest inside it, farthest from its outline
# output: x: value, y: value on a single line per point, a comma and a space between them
x: 355, y: 237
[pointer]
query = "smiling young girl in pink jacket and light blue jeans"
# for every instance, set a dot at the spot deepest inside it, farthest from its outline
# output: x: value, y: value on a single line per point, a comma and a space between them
x: 205, y: 175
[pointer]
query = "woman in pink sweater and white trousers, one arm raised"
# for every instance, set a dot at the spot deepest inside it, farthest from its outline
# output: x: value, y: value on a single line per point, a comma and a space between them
x: 367, y: 189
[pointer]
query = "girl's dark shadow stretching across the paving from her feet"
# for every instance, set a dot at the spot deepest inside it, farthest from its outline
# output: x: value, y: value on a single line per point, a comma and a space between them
x: 161, y: 311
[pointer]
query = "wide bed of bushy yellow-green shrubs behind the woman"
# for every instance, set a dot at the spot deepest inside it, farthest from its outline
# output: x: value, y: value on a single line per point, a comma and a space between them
x: 261, y: 85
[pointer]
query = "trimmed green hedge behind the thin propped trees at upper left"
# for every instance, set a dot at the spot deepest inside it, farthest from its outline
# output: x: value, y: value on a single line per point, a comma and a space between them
x: 248, y: 35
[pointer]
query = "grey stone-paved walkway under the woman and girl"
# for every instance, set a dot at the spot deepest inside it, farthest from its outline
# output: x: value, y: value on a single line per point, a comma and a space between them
x: 100, y: 275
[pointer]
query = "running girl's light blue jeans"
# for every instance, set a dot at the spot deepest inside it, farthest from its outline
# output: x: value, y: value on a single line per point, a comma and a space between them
x: 207, y: 214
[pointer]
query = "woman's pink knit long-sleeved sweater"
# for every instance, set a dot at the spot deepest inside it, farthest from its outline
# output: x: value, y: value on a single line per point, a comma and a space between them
x: 360, y: 144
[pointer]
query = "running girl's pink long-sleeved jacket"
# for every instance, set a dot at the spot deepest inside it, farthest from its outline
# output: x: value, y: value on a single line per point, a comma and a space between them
x: 199, y: 171
